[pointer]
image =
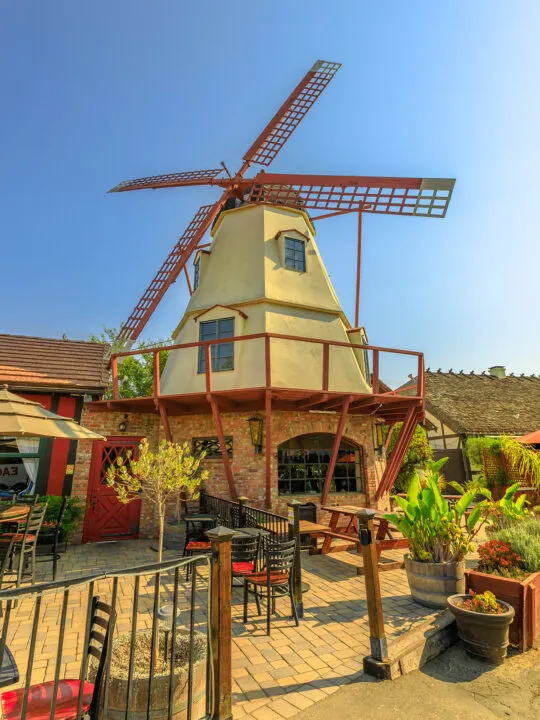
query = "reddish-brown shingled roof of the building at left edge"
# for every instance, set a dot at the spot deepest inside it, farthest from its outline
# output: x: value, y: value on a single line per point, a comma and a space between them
x: 49, y: 364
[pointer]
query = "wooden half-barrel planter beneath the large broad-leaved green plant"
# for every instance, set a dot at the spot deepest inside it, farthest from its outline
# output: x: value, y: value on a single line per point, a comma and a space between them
x: 432, y: 583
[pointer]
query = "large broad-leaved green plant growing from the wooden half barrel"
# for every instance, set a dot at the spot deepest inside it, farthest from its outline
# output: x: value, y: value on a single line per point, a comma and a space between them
x: 435, y: 530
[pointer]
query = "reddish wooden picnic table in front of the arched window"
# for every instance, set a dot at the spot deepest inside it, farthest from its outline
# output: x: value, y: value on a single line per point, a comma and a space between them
x: 343, y: 525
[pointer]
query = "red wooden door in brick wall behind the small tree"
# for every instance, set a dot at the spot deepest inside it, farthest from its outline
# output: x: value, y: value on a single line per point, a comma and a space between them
x: 106, y: 517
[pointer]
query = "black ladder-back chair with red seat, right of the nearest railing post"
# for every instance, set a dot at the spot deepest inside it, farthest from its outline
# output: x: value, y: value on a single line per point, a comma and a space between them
x: 276, y: 576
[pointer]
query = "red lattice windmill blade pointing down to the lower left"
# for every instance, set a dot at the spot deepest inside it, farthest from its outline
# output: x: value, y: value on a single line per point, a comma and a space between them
x: 169, y: 271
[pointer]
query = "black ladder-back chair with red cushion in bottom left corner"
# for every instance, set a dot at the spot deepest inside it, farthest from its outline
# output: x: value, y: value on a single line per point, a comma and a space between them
x: 40, y: 697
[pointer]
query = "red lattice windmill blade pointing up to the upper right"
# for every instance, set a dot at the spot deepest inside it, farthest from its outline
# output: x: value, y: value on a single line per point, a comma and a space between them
x: 291, y: 113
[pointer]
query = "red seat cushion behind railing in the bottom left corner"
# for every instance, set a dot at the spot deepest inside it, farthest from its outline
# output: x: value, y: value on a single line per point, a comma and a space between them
x: 40, y: 699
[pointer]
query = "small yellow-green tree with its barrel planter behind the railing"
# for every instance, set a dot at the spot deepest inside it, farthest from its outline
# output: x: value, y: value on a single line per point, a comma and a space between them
x: 160, y: 478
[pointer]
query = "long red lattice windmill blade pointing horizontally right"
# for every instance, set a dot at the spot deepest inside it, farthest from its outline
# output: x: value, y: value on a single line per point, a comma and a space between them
x: 428, y: 197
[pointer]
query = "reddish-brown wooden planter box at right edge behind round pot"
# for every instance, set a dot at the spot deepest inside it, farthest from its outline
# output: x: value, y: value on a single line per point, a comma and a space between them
x: 522, y: 595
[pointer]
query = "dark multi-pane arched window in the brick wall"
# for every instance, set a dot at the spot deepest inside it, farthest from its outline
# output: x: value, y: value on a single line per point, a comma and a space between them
x: 303, y: 464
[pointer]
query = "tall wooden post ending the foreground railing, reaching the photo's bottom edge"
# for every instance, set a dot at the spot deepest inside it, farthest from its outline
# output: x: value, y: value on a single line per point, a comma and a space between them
x: 220, y: 620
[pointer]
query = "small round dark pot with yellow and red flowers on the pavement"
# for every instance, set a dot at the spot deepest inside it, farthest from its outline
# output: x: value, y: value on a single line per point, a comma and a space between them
x: 483, y: 623
